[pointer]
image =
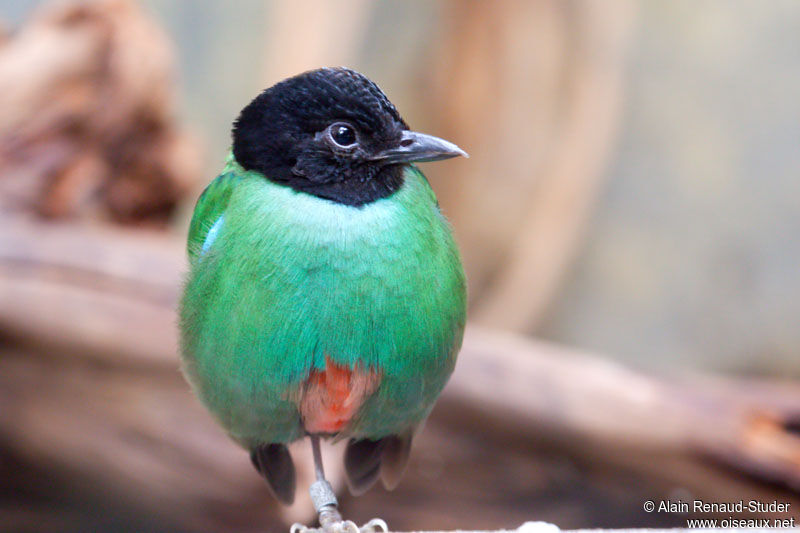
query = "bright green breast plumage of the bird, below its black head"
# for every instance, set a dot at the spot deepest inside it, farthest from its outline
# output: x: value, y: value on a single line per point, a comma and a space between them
x: 290, y: 279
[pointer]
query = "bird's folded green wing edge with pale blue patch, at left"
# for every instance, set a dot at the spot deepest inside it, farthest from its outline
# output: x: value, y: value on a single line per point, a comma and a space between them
x: 208, y: 213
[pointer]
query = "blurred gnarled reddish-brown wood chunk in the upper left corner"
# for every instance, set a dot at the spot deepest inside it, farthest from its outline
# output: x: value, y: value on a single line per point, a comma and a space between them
x: 88, y: 123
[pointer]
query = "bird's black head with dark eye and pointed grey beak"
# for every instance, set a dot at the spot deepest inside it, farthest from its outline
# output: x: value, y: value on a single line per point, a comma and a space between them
x: 331, y: 133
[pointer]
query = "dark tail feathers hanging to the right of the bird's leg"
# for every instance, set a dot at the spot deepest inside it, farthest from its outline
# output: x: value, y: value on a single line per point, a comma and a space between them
x: 365, y: 459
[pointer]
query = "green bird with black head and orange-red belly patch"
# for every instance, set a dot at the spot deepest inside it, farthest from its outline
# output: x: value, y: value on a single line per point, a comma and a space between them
x: 325, y: 295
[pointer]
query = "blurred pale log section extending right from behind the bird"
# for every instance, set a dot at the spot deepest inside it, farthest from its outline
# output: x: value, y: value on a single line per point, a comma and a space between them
x: 734, y: 420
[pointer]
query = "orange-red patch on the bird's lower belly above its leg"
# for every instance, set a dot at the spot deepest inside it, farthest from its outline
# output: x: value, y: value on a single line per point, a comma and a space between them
x: 330, y: 398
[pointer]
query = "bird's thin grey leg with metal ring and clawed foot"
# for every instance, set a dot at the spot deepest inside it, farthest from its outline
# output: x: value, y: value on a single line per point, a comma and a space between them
x: 327, y: 506
